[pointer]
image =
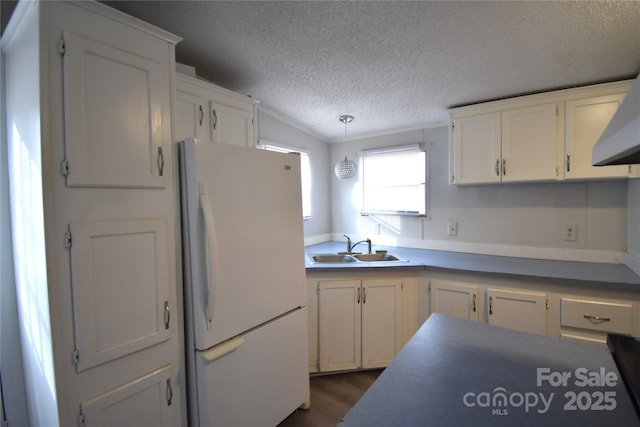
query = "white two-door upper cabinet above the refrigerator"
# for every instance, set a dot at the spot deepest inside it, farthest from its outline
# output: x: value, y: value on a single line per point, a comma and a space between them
x: 204, y: 110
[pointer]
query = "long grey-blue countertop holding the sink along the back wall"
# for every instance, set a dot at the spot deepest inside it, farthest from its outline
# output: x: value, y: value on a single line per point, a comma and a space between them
x: 614, y: 276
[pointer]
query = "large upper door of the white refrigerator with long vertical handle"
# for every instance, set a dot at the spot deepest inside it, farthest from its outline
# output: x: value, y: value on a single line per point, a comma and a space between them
x: 244, y: 243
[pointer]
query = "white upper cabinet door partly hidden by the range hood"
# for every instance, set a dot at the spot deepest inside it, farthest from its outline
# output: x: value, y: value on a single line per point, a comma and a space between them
x: 586, y: 119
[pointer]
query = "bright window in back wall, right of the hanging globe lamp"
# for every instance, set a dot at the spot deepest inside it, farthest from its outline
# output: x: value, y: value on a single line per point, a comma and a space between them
x: 394, y: 181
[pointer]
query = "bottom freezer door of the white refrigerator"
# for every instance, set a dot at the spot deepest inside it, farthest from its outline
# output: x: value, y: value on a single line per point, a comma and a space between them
x: 258, y: 379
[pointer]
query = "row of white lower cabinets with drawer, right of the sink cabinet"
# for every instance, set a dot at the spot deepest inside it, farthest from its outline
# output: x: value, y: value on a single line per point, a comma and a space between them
x: 541, y: 306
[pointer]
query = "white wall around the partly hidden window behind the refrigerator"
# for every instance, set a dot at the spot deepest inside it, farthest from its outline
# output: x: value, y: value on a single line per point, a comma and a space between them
x: 278, y: 130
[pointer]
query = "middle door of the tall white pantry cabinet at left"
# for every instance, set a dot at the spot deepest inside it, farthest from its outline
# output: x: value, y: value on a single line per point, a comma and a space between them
x: 120, y: 288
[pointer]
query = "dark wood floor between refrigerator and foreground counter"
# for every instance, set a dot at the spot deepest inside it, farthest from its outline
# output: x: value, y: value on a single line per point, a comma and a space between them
x: 331, y: 398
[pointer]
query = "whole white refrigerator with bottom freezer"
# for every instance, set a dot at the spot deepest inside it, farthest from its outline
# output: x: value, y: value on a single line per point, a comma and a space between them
x: 244, y: 284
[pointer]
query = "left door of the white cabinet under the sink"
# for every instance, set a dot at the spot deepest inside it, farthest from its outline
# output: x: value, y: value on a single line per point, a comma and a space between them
x: 340, y: 325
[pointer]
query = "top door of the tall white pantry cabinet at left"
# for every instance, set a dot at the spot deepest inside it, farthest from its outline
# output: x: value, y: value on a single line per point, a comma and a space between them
x: 113, y: 116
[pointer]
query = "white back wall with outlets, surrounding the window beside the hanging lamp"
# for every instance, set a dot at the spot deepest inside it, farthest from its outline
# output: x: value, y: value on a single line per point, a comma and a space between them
x: 506, y: 219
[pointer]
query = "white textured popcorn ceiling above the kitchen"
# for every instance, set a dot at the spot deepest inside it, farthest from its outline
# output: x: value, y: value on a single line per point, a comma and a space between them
x: 396, y: 65
